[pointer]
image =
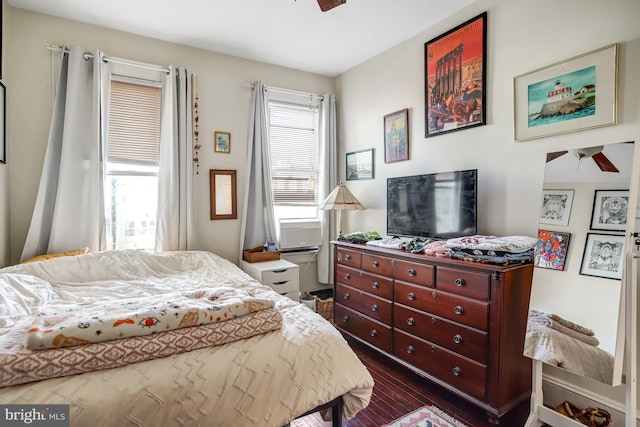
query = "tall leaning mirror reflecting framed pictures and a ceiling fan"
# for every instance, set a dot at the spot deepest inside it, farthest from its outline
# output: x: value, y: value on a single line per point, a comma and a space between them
x: 578, y: 279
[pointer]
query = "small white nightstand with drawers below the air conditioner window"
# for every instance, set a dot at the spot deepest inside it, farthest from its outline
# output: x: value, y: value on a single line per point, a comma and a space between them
x: 280, y: 275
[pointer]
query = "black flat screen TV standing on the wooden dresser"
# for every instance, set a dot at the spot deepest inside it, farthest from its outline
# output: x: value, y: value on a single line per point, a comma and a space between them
x: 436, y: 206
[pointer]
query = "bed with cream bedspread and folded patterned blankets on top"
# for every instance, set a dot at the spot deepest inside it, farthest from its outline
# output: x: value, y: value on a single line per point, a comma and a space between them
x: 265, y: 367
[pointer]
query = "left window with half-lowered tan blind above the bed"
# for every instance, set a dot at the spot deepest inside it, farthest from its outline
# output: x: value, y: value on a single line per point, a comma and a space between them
x: 133, y: 151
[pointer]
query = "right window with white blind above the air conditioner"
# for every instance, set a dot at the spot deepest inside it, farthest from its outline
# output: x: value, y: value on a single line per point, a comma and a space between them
x: 293, y: 142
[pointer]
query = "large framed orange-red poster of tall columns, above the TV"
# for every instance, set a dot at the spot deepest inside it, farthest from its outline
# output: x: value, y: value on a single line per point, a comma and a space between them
x: 455, y: 79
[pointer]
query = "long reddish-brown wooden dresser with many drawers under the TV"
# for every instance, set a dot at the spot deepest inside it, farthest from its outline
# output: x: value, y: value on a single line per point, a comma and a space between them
x: 458, y: 324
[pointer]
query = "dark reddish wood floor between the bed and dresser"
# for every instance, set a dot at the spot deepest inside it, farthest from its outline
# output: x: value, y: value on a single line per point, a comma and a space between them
x: 398, y: 391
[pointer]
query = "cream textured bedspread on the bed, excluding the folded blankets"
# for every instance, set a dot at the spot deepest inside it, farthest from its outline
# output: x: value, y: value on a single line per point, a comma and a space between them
x: 265, y: 380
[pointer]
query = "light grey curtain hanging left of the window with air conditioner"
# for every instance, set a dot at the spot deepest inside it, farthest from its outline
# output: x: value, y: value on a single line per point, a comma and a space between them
x: 258, y: 220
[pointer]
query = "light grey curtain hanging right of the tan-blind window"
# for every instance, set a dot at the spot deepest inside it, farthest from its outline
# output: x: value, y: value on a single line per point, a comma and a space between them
x: 175, y: 225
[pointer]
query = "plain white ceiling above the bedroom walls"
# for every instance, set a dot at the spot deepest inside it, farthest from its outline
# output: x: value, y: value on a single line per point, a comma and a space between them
x: 290, y: 33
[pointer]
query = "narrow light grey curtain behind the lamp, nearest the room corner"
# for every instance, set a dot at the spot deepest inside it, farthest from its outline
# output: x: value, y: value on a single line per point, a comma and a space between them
x: 327, y: 182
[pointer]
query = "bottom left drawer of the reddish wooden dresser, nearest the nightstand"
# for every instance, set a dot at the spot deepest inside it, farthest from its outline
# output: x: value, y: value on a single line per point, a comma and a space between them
x: 365, y: 328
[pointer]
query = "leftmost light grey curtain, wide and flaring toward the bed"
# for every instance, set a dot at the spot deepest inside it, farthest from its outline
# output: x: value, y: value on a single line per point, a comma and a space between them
x: 69, y: 209
